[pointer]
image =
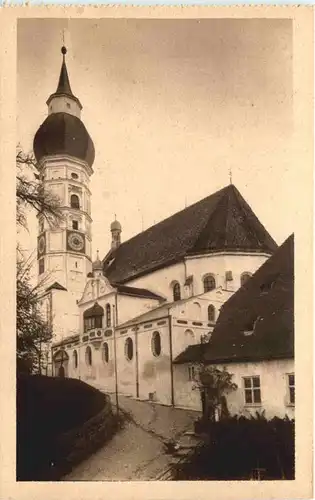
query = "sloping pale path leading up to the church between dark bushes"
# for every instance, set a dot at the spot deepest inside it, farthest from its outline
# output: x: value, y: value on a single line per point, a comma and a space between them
x: 137, y: 452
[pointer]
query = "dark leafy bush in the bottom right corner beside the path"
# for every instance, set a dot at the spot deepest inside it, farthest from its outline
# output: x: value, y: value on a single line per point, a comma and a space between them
x: 237, y: 446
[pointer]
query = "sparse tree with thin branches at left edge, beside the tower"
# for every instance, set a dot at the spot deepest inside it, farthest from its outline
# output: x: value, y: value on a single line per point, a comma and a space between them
x: 33, y: 330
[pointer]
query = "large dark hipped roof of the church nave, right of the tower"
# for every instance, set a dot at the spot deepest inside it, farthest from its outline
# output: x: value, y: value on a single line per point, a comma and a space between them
x: 221, y: 222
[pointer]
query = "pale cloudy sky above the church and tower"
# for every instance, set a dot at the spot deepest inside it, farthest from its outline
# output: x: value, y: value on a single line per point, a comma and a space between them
x: 172, y: 106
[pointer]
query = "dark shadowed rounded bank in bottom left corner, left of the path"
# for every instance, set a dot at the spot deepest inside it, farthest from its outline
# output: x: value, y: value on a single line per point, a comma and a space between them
x: 47, y: 409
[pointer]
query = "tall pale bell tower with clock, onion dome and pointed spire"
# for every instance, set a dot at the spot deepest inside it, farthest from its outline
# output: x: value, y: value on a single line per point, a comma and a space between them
x: 65, y: 154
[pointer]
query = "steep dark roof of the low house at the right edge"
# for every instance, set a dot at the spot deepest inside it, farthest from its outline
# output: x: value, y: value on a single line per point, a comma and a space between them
x: 257, y: 322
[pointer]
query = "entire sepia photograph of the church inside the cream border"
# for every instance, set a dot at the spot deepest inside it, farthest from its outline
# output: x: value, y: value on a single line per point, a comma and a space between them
x: 156, y: 221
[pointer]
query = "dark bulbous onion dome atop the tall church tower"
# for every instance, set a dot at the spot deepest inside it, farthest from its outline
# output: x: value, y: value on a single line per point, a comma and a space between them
x: 63, y: 134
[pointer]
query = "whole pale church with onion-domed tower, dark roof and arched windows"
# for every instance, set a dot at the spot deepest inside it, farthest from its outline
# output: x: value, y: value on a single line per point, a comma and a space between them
x: 120, y: 322
